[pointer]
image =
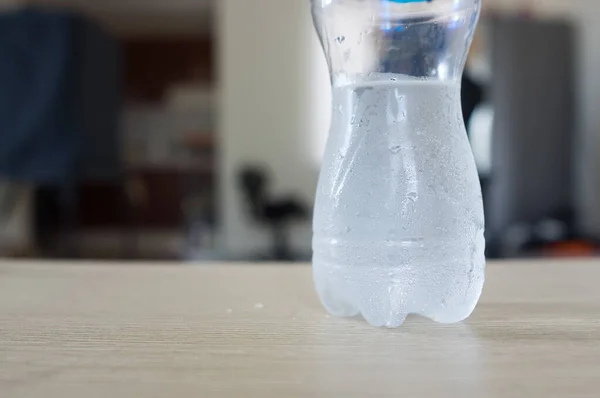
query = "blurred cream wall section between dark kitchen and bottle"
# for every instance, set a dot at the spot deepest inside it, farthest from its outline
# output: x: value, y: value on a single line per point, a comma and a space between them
x: 269, y: 109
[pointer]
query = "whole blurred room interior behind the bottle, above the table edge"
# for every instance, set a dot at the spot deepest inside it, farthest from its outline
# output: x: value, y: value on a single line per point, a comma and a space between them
x: 193, y: 129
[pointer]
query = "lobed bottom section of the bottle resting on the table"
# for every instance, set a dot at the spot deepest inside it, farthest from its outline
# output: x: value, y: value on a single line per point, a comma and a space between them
x: 385, y: 297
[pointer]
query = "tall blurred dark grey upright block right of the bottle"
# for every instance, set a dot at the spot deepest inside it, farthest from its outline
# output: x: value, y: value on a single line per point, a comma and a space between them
x: 532, y: 93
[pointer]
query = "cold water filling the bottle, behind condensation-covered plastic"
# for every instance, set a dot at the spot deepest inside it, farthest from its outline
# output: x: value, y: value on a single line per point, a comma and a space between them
x: 398, y: 219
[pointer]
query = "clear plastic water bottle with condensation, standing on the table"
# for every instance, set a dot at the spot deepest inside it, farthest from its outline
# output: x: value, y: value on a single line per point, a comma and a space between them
x: 398, y: 223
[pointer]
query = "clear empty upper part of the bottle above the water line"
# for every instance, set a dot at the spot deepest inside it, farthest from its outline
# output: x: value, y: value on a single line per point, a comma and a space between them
x: 359, y: 42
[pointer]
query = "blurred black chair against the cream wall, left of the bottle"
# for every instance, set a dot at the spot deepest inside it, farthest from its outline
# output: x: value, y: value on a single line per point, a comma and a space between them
x: 275, y: 213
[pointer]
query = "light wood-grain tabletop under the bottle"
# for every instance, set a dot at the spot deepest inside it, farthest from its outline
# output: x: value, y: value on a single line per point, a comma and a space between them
x: 85, y: 330
